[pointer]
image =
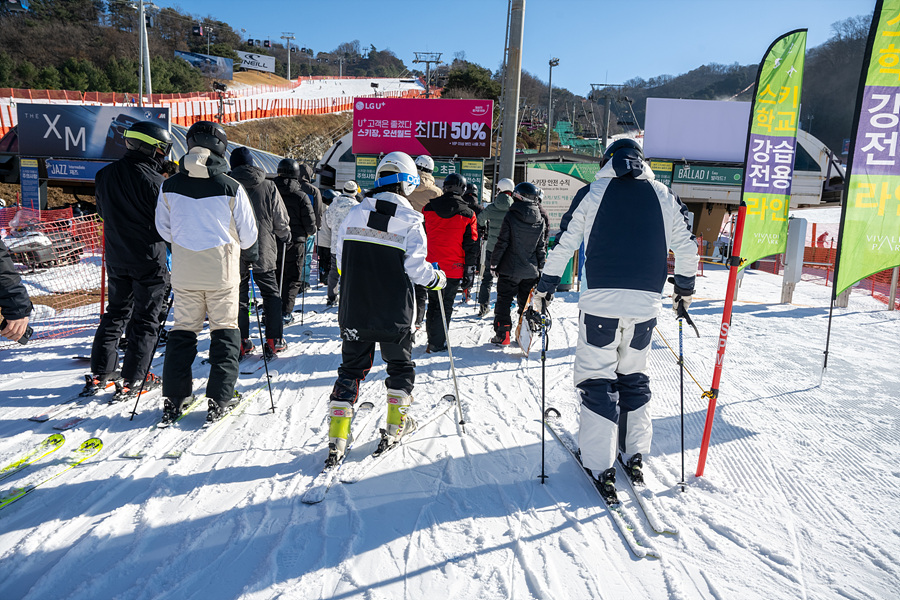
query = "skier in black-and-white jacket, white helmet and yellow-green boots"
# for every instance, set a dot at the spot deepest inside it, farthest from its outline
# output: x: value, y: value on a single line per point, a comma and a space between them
x: 381, y: 252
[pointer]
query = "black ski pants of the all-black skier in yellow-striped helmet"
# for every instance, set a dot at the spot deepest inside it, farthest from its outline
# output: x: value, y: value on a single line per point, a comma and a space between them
x: 135, y: 294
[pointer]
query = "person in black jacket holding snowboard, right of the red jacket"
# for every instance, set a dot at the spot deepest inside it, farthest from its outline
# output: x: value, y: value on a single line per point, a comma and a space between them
x: 518, y: 257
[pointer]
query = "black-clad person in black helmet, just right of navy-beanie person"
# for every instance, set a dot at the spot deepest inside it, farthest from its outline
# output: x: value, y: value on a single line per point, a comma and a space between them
x: 303, y: 225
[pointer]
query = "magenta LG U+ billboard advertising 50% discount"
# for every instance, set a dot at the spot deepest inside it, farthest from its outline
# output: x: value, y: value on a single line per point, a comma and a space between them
x: 436, y: 127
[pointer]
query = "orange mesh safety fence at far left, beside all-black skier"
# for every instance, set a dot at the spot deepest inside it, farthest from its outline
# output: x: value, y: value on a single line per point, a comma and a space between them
x: 60, y: 263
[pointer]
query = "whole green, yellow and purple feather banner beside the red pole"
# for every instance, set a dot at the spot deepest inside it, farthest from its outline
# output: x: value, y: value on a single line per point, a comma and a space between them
x: 772, y: 146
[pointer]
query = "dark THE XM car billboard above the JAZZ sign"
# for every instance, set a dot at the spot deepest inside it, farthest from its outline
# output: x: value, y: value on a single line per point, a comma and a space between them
x: 72, y: 131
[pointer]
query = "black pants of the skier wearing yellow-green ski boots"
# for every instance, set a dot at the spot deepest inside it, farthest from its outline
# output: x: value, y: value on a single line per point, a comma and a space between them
x: 357, y: 358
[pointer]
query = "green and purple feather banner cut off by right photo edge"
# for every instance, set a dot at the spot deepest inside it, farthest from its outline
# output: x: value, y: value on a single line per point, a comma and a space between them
x: 870, y: 223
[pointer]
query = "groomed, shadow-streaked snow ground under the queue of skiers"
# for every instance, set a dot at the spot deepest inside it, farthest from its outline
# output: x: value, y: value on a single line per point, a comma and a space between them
x: 799, y: 499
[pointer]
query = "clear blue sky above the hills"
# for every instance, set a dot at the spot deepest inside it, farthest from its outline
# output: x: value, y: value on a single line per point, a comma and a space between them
x: 596, y: 41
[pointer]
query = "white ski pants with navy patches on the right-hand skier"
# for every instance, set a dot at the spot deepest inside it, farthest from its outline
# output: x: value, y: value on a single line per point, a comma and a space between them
x: 610, y: 365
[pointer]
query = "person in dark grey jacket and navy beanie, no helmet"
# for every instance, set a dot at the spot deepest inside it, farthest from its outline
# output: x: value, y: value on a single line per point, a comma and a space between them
x: 272, y: 223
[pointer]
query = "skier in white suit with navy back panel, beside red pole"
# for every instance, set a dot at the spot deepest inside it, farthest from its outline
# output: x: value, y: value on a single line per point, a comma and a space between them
x: 628, y: 222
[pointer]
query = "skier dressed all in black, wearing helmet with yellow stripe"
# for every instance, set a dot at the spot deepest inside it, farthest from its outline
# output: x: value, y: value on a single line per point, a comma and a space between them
x: 137, y: 277
